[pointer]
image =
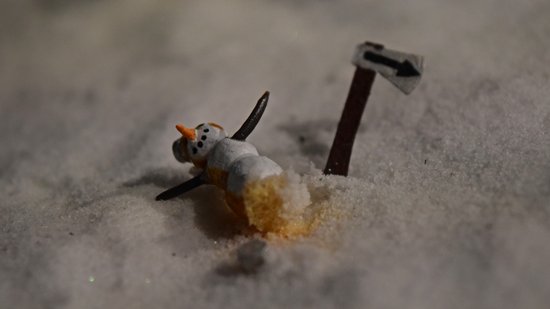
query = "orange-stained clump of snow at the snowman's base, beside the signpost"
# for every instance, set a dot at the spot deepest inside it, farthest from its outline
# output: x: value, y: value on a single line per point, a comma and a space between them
x: 290, y: 205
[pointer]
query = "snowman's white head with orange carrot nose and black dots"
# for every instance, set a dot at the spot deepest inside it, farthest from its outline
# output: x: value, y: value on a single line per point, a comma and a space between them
x: 195, y: 144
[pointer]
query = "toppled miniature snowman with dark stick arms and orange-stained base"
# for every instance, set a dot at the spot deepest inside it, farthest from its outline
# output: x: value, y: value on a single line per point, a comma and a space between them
x: 255, y: 187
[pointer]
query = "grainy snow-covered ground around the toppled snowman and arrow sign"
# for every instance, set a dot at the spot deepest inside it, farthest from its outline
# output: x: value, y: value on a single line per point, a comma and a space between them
x: 447, y: 204
